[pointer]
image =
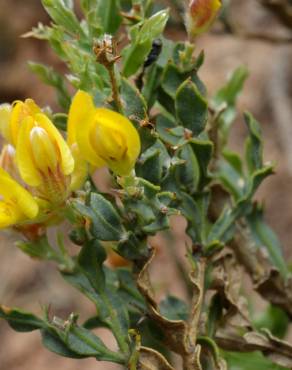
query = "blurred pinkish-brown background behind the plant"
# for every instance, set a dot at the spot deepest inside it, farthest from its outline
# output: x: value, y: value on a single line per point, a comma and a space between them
x: 259, y: 40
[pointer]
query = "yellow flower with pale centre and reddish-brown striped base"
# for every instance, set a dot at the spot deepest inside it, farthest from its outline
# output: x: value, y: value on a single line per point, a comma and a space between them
x: 43, y: 158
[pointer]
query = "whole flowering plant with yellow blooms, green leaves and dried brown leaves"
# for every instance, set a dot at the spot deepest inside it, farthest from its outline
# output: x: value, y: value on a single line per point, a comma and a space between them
x: 142, y: 112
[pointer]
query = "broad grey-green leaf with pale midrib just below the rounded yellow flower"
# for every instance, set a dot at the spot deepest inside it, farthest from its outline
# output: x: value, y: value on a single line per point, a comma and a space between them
x: 106, y: 223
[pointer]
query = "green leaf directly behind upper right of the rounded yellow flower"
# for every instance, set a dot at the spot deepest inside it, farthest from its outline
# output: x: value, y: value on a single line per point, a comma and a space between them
x: 133, y: 102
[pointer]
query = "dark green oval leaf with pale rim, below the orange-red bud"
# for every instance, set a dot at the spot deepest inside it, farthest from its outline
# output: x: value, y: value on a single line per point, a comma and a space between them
x: 191, y: 107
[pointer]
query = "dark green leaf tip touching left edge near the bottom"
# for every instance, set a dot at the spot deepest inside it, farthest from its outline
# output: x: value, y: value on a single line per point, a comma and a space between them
x: 19, y: 320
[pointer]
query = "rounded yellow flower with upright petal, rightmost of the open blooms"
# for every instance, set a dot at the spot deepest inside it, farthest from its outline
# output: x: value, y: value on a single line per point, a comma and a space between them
x: 104, y: 137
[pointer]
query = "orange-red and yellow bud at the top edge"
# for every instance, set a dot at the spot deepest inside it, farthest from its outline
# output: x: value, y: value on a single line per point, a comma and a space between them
x: 200, y: 15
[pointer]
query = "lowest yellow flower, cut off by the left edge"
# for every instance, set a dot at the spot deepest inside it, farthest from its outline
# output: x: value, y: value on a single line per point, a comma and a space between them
x: 17, y: 205
